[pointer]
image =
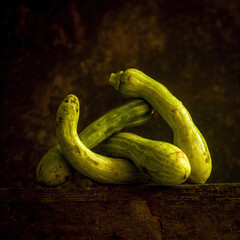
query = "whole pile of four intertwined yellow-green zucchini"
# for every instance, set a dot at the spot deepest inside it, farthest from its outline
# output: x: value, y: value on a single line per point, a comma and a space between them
x: 123, y: 157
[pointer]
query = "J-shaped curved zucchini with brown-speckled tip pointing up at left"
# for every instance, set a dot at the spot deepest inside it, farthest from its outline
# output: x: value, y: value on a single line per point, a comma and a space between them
x: 99, y: 168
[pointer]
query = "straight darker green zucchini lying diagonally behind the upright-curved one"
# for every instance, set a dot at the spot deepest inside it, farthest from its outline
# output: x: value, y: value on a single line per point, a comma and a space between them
x: 53, y: 169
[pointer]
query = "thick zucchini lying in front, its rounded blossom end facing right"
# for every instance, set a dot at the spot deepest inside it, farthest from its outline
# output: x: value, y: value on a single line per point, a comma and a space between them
x: 164, y: 163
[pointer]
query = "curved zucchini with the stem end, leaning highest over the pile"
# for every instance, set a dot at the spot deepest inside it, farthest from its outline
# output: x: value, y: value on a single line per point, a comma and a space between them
x: 134, y: 83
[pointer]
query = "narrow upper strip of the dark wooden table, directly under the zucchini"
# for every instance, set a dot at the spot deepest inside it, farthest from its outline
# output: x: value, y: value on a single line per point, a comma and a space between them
x: 110, y: 193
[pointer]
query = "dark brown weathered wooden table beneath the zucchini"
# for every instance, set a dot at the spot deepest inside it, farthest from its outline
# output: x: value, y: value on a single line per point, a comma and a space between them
x: 209, y: 211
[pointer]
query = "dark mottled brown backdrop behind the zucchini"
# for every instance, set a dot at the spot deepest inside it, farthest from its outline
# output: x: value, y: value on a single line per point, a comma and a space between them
x: 52, y: 48
